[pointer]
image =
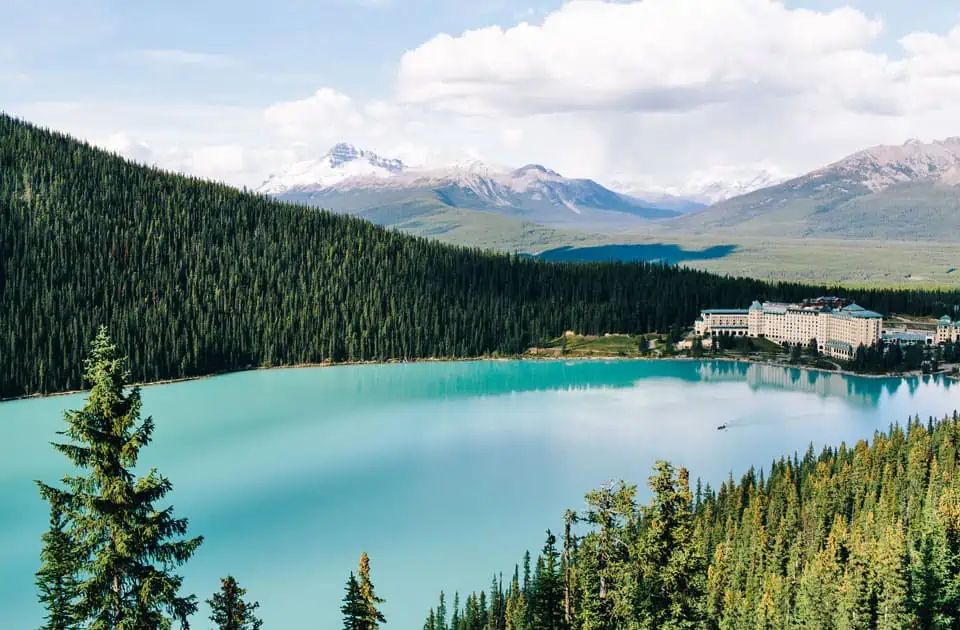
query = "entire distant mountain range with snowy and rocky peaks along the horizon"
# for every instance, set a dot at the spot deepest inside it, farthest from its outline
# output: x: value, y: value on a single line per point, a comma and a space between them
x: 904, y: 192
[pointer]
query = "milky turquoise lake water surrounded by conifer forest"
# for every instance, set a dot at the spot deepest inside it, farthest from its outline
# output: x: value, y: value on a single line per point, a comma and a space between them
x: 443, y: 472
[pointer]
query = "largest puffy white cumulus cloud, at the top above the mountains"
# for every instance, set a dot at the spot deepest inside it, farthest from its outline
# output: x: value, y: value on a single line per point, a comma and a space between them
x: 655, y: 55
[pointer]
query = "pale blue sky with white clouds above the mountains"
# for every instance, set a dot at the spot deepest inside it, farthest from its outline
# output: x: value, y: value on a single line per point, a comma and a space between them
x: 657, y: 94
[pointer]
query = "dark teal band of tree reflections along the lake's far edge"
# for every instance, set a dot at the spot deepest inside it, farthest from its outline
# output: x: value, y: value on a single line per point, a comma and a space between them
x: 371, y: 384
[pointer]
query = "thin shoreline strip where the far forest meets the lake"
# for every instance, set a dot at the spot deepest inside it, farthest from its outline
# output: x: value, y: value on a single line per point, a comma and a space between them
x: 520, y: 357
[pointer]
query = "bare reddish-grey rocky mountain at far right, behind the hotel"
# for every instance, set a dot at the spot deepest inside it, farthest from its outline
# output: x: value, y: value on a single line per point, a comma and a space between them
x: 886, y: 192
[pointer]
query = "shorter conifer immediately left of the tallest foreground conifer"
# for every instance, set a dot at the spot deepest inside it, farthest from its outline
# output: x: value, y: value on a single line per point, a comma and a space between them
x: 56, y: 579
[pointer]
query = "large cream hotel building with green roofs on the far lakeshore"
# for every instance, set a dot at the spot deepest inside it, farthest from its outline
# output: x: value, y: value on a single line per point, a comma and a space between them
x: 839, y: 328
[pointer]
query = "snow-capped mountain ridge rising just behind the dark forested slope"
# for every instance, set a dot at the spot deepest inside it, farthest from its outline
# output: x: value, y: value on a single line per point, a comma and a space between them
x: 361, y: 182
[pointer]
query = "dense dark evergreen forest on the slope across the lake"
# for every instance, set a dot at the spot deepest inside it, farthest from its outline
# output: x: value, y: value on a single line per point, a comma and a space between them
x: 196, y: 277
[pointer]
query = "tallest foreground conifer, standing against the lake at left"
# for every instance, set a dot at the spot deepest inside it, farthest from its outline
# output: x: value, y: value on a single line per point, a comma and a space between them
x: 126, y: 546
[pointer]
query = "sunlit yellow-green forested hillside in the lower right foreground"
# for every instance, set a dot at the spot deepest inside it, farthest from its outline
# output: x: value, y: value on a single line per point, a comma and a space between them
x: 858, y: 538
